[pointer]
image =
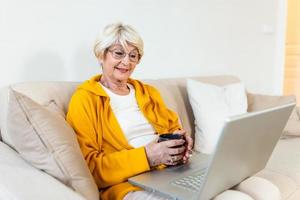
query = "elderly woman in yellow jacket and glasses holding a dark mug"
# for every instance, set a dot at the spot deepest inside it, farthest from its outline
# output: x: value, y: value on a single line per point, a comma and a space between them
x: 118, y: 119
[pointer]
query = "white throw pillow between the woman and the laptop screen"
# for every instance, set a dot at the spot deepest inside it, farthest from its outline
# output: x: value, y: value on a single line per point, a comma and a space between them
x: 211, y: 105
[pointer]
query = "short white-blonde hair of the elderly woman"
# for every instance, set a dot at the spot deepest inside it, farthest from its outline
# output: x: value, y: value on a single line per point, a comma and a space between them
x: 117, y: 33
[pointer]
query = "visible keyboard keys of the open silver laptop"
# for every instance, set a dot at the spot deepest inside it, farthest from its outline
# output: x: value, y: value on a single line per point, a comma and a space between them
x: 191, y: 182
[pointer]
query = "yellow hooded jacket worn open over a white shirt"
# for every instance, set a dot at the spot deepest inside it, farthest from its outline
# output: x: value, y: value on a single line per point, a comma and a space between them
x: 110, y: 158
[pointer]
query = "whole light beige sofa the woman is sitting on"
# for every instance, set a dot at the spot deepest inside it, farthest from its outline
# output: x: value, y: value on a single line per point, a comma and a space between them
x: 19, y: 179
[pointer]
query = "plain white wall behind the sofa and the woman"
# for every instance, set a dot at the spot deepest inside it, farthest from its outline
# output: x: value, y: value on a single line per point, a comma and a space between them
x: 53, y: 39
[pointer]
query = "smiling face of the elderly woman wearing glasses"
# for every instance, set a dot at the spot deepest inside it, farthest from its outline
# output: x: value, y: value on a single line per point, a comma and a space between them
x: 118, y: 63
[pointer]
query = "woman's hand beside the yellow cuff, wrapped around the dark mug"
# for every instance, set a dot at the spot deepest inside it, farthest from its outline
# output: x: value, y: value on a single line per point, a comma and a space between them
x: 165, y: 153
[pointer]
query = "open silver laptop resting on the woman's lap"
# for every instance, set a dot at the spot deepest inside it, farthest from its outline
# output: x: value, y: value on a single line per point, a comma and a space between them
x: 243, y: 149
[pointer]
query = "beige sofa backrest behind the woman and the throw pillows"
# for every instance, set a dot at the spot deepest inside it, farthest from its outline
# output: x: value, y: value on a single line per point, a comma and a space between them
x: 56, y: 96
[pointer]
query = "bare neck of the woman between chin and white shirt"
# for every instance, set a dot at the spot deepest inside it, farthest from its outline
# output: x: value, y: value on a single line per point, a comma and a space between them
x: 117, y: 86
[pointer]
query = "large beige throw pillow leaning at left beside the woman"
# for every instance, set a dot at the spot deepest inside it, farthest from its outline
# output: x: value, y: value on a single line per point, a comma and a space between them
x: 47, y: 142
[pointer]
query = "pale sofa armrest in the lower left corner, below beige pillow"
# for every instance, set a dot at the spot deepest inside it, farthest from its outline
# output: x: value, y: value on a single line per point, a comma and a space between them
x: 19, y: 180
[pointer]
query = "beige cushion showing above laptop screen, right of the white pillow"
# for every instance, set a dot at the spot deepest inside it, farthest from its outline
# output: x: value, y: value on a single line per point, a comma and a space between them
x: 259, y: 102
